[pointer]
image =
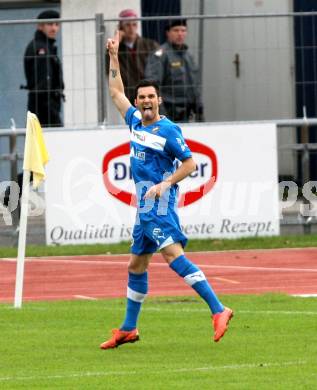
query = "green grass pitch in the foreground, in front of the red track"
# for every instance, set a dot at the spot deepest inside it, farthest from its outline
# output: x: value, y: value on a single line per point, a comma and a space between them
x: 271, y: 344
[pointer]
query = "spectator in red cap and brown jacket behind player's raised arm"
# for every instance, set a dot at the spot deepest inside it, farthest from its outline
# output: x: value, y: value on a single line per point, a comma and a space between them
x: 133, y: 52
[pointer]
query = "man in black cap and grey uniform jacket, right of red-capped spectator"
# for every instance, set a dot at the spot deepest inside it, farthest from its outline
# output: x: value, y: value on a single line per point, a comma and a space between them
x: 174, y: 68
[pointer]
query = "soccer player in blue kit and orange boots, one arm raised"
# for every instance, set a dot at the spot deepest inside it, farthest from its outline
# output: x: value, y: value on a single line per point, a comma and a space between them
x: 155, y: 144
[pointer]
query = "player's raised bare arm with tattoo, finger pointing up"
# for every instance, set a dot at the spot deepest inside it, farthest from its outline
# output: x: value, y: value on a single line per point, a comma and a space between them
x: 115, y: 82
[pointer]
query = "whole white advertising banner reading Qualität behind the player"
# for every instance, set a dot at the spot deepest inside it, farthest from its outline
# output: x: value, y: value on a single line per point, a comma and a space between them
x: 233, y: 193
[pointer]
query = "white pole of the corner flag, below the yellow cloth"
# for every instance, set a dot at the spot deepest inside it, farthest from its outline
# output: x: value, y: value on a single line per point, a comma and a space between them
x: 22, y: 239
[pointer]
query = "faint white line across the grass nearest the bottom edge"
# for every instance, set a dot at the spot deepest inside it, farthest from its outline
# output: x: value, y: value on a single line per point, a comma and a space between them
x: 165, y: 371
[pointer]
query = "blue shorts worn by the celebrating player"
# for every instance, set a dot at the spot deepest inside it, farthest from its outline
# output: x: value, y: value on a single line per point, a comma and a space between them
x: 155, y: 232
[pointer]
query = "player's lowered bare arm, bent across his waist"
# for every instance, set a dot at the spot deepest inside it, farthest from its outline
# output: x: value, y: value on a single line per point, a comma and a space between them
x: 186, y: 168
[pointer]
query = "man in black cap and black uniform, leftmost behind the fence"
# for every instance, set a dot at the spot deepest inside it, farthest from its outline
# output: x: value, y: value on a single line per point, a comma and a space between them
x: 43, y: 72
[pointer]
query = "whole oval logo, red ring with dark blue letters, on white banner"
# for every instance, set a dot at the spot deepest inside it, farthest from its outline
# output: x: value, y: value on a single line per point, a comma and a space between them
x: 116, y: 171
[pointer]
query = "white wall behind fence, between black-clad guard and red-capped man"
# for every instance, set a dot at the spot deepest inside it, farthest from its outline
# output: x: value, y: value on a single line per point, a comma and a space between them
x: 79, y: 55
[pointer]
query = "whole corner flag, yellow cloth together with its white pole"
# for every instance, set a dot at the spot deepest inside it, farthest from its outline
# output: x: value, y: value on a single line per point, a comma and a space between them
x: 35, y: 157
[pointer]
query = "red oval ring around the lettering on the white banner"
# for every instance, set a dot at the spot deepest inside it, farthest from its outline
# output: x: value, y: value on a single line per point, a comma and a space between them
x: 186, y: 198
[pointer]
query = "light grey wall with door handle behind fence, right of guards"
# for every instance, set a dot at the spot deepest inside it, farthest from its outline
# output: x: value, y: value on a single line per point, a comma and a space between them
x: 265, y: 88
